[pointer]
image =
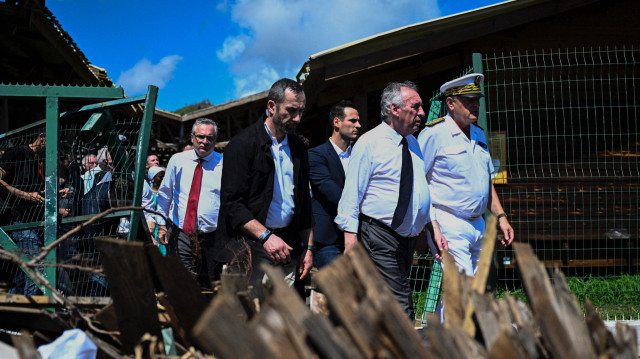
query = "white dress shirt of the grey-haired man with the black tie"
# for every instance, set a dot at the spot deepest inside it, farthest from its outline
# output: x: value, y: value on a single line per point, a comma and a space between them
x: 372, y: 185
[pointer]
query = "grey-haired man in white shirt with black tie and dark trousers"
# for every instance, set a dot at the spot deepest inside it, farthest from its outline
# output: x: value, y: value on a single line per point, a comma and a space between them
x: 385, y: 201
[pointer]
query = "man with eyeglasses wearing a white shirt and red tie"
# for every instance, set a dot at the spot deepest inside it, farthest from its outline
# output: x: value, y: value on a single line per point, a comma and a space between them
x: 190, y: 197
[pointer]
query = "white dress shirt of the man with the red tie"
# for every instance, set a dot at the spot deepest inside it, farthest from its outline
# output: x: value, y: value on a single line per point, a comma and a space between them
x: 173, y: 194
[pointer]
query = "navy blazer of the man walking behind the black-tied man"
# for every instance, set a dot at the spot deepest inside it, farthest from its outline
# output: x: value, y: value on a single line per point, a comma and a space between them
x: 327, y: 180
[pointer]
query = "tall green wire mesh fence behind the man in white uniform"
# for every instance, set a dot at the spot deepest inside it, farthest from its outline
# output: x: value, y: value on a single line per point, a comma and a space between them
x: 563, y: 127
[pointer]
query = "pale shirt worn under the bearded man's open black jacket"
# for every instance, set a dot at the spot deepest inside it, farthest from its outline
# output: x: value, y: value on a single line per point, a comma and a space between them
x: 282, y: 204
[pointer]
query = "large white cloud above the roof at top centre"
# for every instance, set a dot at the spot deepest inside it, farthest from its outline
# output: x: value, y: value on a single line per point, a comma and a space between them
x: 281, y: 34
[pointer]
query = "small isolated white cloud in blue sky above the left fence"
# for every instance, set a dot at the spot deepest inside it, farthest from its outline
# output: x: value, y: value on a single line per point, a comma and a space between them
x: 144, y: 73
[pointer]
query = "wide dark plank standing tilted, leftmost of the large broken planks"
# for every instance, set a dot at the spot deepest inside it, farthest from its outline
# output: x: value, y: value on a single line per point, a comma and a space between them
x: 134, y: 300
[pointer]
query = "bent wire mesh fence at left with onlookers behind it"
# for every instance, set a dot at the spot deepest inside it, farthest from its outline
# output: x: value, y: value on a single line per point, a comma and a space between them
x: 95, y: 173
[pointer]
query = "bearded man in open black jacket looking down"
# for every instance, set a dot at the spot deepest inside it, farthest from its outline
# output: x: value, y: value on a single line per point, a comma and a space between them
x: 265, y: 210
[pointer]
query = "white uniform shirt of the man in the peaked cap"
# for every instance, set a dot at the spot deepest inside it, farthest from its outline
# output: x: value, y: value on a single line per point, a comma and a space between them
x: 458, y: 168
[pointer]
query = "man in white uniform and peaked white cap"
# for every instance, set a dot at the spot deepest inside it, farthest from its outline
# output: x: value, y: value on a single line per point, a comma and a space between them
x: 458, y: 168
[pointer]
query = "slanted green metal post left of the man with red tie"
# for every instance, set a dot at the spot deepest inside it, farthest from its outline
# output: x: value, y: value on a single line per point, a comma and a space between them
x: 141, y: 158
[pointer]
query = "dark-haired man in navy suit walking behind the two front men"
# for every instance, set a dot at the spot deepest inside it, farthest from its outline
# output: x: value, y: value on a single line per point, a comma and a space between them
x: 328, y: 165
